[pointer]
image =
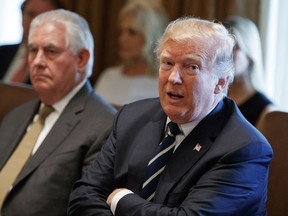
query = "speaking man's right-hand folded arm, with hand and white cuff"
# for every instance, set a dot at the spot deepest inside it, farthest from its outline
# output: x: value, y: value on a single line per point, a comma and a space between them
x: 235, y: 185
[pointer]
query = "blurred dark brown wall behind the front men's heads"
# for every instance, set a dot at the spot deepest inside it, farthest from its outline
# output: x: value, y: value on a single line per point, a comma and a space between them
x: 102, y: 16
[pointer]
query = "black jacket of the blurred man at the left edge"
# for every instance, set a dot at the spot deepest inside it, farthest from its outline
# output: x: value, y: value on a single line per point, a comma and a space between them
x: 7, y: 53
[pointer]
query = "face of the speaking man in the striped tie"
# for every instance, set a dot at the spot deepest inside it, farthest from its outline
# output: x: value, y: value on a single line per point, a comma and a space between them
x: 187, y: 84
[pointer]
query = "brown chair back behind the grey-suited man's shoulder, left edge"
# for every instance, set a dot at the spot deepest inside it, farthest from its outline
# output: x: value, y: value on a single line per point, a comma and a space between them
x: 12, y: 95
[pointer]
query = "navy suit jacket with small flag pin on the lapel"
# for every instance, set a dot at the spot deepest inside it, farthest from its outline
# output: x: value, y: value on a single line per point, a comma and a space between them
x: 228, y: 176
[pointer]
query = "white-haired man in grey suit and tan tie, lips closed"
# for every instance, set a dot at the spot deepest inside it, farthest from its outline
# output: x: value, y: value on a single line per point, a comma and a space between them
x: 61, y: 60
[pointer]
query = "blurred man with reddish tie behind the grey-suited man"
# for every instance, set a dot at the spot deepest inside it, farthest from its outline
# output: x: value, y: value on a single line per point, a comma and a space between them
x: 13, y: 56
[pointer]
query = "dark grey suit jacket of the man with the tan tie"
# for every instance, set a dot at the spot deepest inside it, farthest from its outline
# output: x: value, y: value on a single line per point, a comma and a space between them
x: 43, y: 186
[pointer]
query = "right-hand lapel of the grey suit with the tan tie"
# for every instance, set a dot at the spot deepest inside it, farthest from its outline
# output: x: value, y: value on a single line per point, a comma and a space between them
x: 64, y: 125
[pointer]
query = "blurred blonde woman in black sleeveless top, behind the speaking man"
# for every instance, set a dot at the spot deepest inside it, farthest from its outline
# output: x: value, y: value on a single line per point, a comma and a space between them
x: 246, y: 90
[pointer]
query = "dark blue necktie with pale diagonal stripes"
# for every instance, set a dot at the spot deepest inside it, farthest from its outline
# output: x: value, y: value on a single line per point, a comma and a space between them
x: 159, y: 161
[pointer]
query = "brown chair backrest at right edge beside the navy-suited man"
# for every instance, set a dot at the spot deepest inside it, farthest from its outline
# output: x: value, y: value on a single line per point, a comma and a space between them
x: 275, y: 129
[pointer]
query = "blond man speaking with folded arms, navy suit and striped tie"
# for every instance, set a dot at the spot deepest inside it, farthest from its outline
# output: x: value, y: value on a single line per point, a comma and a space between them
x: 220, y: 162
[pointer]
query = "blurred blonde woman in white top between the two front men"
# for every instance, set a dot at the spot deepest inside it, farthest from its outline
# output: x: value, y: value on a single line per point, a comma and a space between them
x: 141, y: 24
